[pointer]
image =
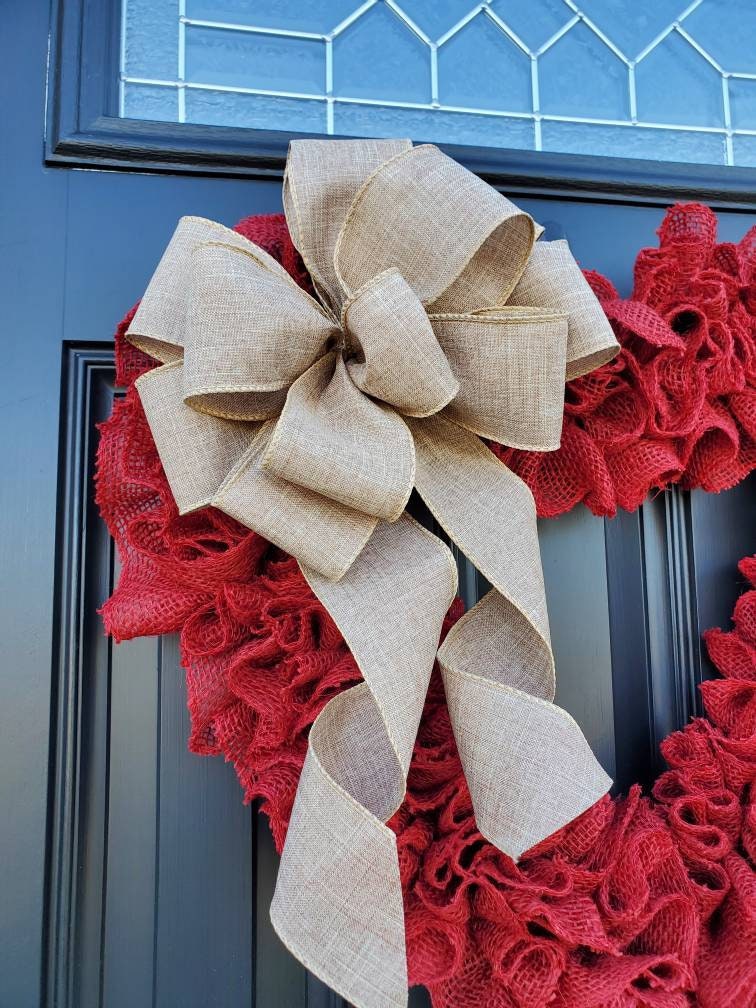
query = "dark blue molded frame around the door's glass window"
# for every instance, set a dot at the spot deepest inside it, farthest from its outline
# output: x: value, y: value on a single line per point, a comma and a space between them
x: 83, y: 130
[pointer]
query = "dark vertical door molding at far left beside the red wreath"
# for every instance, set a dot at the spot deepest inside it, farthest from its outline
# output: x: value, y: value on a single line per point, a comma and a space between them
x: 84, y: 571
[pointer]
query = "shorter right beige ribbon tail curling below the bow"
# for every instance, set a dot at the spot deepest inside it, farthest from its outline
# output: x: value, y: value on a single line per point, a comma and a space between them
x: 530, y: 770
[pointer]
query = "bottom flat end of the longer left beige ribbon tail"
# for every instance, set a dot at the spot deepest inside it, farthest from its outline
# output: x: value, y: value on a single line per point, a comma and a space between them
x: 338, y: 905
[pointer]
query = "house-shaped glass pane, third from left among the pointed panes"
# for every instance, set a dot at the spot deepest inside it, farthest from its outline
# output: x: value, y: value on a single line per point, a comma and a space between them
x: 580, y: 76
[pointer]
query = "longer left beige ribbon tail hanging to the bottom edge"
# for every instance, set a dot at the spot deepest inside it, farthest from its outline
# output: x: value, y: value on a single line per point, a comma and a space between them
x: 338, y: 904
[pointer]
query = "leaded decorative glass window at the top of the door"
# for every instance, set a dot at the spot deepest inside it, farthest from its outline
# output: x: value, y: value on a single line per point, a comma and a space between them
x: 655, y: 79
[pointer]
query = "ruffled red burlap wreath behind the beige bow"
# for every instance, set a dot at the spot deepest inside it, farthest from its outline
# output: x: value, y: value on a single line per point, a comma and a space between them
x: 640, y: 903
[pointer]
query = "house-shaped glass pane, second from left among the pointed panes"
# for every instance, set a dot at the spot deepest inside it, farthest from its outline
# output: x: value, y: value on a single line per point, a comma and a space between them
x: 481, y: 68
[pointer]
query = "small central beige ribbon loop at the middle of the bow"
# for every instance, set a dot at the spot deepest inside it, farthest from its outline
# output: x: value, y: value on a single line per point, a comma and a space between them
x: 393, y: 353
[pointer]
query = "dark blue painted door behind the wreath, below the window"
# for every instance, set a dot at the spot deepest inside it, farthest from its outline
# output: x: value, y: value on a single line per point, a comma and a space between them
x: 132, y: 874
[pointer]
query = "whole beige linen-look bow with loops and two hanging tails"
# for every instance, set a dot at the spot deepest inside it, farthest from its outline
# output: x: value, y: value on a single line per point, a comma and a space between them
x: 439, y: 321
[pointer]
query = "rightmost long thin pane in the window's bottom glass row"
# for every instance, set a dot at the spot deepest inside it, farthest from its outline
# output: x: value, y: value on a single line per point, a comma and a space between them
x: 636, y: 142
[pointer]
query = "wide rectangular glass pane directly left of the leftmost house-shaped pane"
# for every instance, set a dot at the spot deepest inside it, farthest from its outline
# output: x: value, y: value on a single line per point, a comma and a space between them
x: 249, y: 60
